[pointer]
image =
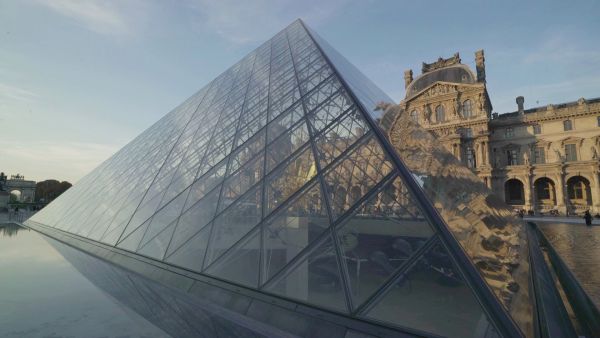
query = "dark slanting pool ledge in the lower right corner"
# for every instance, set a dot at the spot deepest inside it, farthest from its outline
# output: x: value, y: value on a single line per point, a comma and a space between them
x: 551, y: 315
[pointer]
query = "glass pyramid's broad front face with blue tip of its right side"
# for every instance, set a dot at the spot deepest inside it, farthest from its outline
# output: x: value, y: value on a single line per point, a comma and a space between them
x: 275, y: 177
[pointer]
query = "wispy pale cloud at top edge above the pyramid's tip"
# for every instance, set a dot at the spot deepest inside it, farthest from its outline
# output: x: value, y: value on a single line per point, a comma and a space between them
x: 249, y: 21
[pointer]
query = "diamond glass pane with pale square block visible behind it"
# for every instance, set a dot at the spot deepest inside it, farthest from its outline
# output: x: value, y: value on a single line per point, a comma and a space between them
x: 292, y: 229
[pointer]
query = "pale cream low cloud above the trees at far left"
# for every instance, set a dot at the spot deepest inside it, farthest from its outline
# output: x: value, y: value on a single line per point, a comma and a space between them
x: 46, y: 160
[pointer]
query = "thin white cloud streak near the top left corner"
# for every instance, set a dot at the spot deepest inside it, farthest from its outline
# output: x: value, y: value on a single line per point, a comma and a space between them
x: 103, y: 17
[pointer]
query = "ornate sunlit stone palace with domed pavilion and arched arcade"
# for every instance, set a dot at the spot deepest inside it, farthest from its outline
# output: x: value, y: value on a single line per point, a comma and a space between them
x: 542, y: 159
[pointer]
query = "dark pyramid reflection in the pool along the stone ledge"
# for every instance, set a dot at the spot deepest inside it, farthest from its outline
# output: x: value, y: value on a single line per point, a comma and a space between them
x: 177, y: 313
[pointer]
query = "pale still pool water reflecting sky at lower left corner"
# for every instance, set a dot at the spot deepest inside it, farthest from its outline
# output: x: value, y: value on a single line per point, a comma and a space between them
x: 43, y: 295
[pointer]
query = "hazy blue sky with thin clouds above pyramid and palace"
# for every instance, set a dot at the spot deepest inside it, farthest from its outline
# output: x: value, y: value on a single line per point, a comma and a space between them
x: 79, y: 79
